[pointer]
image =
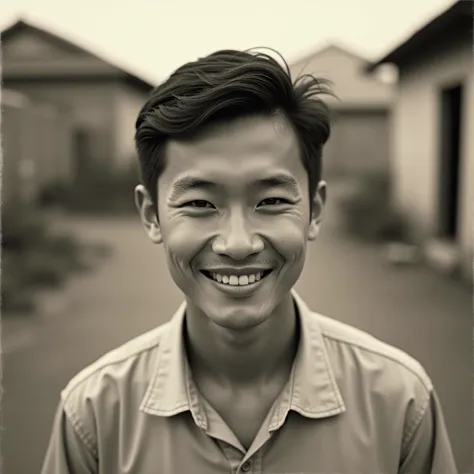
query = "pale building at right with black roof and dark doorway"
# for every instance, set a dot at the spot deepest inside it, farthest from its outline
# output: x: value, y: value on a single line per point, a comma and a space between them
x: 433, y: 150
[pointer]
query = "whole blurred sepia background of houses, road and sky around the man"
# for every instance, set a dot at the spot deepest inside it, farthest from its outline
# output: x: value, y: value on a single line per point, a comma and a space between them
x: 79, y: 276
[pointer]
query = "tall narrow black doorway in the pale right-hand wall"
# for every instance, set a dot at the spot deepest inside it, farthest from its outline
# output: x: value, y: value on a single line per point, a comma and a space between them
x: 450, y: 135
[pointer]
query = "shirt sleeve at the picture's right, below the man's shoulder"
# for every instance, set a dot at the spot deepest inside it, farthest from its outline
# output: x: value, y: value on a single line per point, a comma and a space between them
x: 428, y: 450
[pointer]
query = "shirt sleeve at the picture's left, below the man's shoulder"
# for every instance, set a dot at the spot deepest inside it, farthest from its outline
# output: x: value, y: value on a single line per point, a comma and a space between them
x: 67, y: 451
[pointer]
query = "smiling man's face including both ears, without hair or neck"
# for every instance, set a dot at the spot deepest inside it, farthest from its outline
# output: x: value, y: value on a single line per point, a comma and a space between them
x: 233, y: 207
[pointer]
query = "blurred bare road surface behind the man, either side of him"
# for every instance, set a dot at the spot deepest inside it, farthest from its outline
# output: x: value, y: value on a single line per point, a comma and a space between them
x: 413, y: 308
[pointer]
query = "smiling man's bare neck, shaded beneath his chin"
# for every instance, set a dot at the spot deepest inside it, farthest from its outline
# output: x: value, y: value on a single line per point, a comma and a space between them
x: 243, y: 359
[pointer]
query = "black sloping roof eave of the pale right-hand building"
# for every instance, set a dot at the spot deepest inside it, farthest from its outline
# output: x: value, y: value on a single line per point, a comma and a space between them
x: 460, y: 14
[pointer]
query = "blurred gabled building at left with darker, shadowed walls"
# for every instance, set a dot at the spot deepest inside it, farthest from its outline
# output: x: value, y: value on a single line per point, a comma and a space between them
x: 66, y: 109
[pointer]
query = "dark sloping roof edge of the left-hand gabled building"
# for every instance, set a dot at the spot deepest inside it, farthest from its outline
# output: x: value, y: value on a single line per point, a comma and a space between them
x: 22, y: 26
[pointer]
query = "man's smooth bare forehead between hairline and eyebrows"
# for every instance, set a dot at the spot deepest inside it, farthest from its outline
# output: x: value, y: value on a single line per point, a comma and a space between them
x: 237, y: 152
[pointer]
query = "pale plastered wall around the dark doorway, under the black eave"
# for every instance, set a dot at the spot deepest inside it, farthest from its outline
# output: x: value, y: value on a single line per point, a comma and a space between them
x: 416, y: 125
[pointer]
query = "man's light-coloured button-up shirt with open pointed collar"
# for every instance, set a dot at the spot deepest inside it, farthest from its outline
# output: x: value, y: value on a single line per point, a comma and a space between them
x: 352, y: 405
